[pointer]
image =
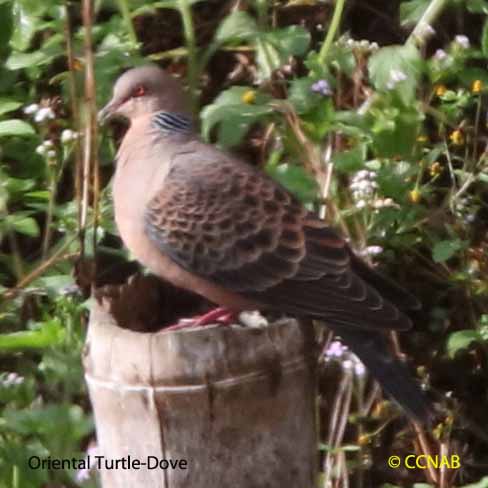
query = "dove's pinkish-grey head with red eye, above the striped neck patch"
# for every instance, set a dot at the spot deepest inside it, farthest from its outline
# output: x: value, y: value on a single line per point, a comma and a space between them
x: 144, y: 91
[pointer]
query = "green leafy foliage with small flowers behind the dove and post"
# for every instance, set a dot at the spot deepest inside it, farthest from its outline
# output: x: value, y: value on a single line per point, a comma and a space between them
x: 372, y: 112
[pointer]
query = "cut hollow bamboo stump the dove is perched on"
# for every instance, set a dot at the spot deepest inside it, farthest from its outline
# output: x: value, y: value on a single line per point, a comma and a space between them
x: 228, y: 406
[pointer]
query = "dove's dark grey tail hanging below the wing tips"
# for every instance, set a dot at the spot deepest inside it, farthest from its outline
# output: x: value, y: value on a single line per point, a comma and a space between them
x: 372, y: 348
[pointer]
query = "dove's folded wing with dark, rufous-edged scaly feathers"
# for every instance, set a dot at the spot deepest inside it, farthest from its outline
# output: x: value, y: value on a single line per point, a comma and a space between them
x: 231, y: 224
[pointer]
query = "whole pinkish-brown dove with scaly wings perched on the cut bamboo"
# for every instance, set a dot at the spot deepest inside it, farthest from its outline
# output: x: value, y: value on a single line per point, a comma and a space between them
x: 211, y: 223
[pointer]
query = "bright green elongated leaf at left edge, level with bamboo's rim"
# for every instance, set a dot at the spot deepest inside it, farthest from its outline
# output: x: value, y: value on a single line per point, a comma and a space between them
x: 48, y: 334
